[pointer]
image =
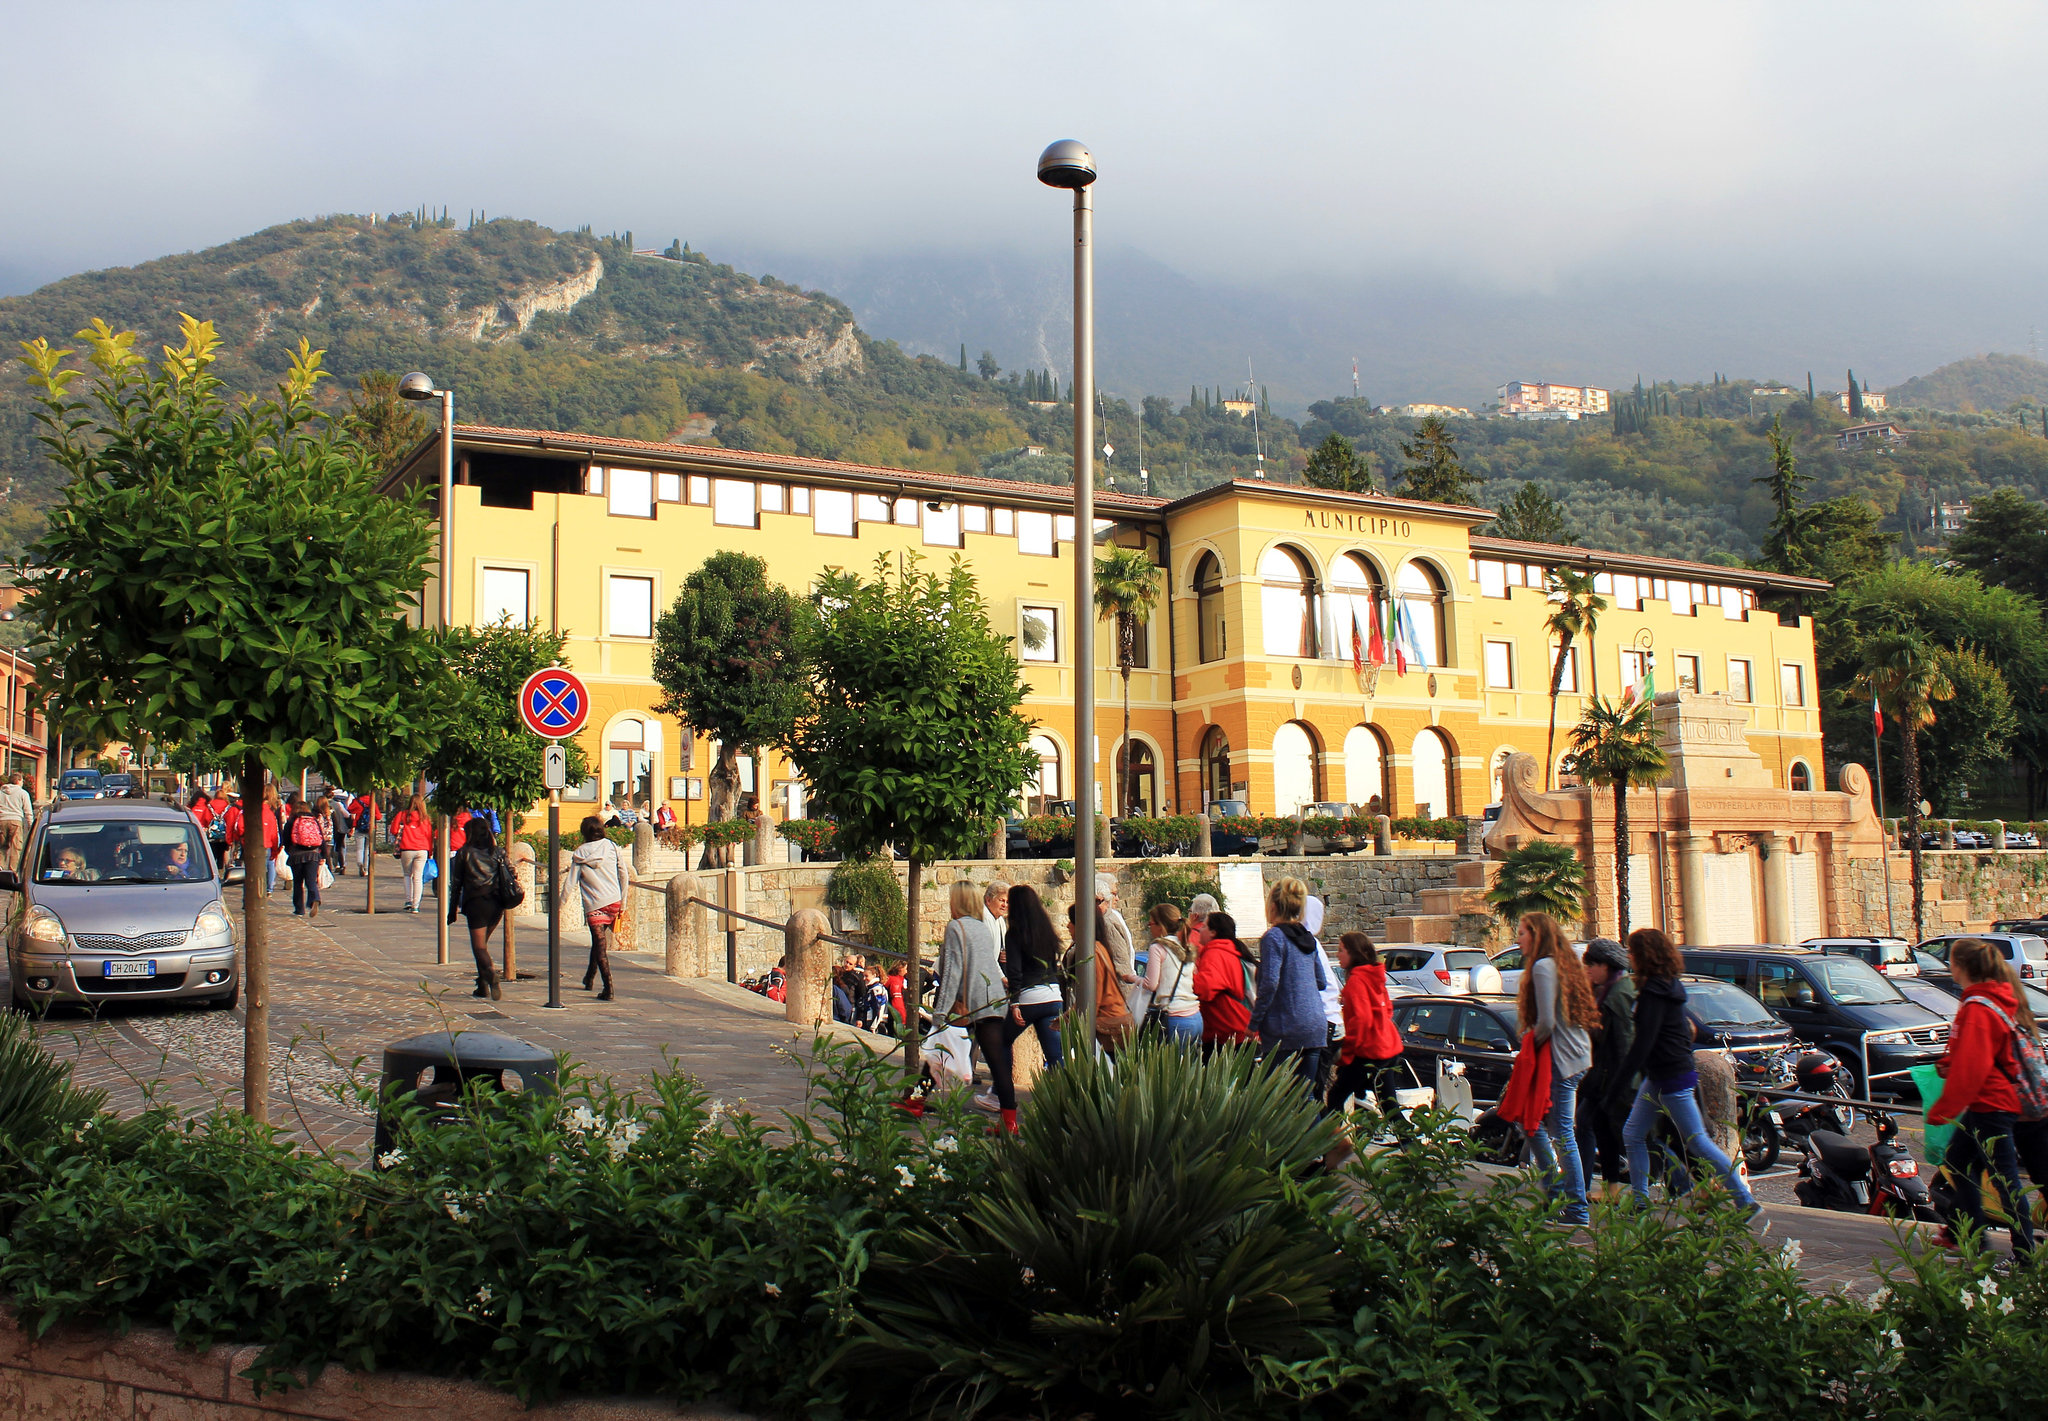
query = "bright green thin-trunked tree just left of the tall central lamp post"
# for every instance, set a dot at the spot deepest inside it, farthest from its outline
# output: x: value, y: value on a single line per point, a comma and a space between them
x: 914, y: 732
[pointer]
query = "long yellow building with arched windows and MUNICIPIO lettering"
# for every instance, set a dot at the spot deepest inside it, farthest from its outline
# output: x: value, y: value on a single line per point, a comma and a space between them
x: 1250, y: 683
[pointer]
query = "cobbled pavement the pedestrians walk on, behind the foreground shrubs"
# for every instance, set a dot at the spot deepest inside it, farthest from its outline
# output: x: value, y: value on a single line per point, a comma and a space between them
x: 349, y: 984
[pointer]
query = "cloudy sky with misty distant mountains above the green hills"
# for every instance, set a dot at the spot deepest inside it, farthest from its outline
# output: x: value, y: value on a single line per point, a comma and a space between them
x: 1543, y: 159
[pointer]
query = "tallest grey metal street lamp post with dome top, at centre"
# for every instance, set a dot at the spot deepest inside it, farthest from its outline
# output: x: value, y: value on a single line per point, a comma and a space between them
x: 1068, y: 165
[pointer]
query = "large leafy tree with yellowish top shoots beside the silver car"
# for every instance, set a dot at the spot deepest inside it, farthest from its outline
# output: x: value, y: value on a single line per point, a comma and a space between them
x: 228, y: 576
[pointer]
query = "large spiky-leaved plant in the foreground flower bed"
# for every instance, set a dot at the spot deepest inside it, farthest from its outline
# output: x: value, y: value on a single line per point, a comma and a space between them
x: 1148, y: 1238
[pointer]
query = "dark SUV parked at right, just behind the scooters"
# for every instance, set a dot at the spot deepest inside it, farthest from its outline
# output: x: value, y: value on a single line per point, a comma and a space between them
x: 1834, y: 1002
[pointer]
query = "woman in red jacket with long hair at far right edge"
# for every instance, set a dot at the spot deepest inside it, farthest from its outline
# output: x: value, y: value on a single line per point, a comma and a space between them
x: 1979, y: 1086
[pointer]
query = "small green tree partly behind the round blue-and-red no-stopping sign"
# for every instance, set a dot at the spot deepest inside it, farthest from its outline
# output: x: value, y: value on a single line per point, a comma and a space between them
x: 486, y: 757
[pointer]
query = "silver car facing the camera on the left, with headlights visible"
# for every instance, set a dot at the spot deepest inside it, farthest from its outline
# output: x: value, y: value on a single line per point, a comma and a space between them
x: 120, y: 902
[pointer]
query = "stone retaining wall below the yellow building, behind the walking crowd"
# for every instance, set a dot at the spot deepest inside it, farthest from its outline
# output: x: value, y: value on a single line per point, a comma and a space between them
x: 1361, y: 894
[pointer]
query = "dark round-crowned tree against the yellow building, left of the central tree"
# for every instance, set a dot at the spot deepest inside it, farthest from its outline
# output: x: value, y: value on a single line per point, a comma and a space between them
x: 730, y: 660
